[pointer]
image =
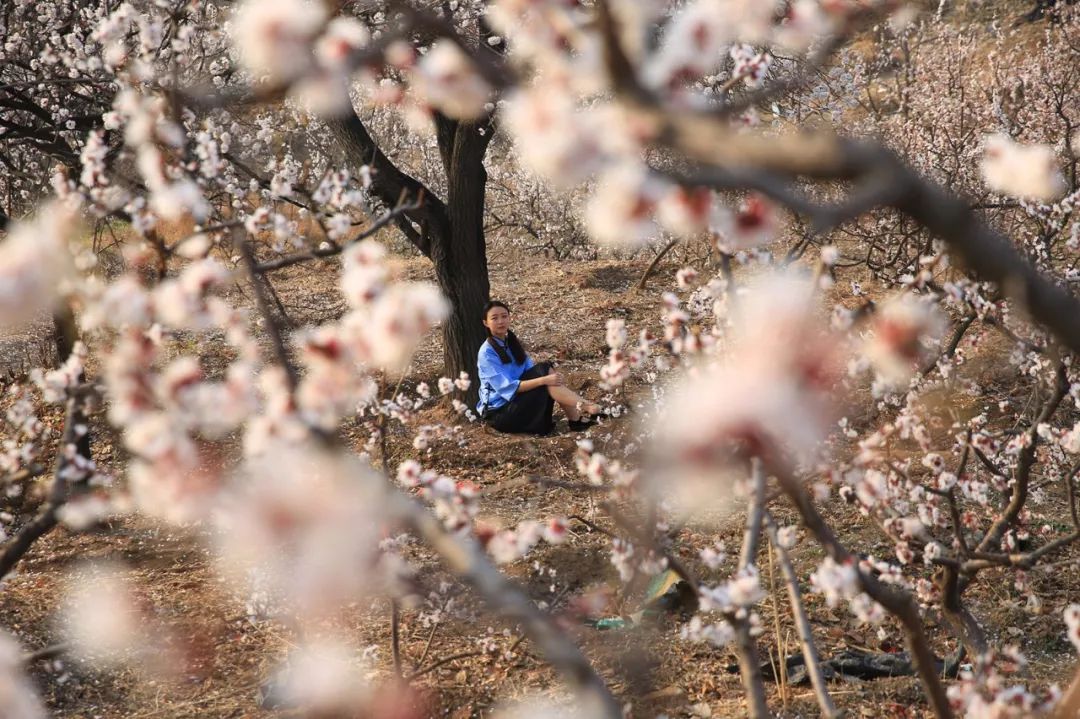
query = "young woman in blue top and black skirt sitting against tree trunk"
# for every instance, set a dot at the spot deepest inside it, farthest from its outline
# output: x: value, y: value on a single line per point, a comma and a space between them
x: 517, y: 395
